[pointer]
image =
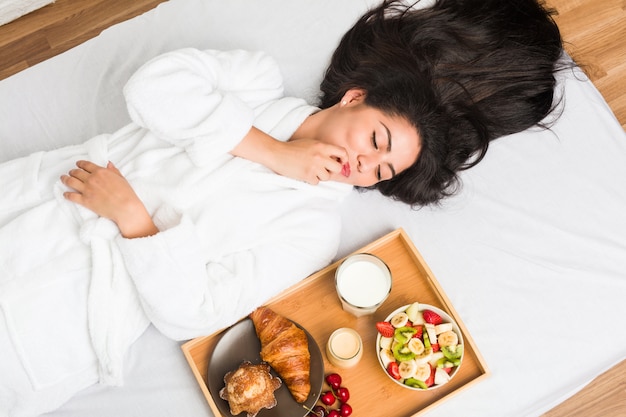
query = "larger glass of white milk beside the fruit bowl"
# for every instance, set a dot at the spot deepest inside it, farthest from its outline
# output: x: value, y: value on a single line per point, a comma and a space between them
x: 363, y: 282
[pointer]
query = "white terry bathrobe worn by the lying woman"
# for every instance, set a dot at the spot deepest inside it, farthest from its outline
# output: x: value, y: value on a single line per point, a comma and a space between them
x: 74, y: 294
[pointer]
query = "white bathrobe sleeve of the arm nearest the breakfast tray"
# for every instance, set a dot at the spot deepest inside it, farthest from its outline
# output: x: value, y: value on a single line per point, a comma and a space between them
x: 185, y: 297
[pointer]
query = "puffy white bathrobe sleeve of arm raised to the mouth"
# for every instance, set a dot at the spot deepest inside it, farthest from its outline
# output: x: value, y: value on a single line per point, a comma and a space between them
x: 203, y: 101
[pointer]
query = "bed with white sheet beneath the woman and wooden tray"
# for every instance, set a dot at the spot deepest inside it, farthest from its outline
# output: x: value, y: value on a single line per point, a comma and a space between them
x: 531, y: 252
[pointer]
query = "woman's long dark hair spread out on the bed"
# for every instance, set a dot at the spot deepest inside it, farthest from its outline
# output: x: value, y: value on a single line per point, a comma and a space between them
x: 464, y: 72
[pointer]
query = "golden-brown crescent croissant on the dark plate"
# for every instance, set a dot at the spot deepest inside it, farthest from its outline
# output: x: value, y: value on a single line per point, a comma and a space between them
x: 285, y: 347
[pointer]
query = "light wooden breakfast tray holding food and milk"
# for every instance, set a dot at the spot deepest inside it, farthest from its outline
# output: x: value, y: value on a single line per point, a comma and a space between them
x: 313, y: 303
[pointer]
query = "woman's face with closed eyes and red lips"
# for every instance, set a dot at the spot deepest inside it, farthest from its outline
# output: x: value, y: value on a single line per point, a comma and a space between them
x: 378, y: 146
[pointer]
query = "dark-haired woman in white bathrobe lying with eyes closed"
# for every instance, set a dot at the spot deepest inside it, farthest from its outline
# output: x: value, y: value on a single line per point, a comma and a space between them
x: 179, y: 220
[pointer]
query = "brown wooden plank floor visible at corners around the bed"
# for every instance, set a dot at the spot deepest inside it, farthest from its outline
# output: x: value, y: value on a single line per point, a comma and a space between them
x: 595, y: 32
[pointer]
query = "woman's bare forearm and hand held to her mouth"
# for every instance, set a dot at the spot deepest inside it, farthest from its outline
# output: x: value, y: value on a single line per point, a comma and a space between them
x: 307, y: 160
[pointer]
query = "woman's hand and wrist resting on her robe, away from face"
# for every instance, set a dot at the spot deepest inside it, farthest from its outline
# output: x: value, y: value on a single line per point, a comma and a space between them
x: 106, y: 192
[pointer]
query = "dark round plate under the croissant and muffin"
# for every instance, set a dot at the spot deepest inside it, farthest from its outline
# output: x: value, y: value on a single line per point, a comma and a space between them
x: 240, y: 343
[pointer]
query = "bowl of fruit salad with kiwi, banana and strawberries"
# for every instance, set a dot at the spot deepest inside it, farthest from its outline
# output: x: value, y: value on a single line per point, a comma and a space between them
x: 419, y: 346
